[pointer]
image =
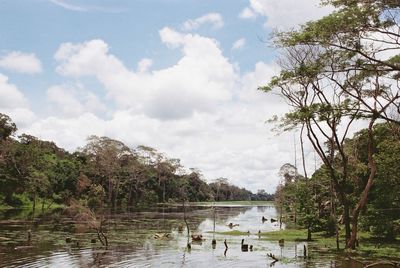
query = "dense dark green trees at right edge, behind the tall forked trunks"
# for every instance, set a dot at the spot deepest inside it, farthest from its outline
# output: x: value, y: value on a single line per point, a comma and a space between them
x: 381, y: 215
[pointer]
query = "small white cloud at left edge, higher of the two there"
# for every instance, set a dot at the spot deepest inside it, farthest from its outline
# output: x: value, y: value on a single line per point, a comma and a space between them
x: 21, y: 62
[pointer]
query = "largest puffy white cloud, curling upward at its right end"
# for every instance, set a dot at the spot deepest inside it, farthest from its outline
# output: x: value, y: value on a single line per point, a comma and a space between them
x: 199, y: 81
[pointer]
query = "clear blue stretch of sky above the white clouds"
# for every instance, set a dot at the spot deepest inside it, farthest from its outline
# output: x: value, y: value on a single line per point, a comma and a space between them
x: 130, y: 28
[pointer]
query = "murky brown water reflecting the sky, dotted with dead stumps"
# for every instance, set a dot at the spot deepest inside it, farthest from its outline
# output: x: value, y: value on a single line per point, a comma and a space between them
x: 132, y: 243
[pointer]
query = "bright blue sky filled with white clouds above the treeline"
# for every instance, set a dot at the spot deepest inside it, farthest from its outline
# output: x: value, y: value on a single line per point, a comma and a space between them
x: 177, y: 75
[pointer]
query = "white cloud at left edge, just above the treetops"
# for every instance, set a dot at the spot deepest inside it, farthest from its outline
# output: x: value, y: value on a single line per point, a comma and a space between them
x: 14, y: 103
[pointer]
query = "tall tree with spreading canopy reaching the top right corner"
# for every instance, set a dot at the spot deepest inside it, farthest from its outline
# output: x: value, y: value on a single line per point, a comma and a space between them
x: 354, y: 51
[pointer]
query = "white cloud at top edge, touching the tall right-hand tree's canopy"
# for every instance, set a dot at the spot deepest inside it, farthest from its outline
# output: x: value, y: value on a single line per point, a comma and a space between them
x: 285, y: 14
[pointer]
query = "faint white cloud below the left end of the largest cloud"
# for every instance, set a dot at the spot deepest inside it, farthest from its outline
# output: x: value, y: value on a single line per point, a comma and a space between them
x: 73, y: 100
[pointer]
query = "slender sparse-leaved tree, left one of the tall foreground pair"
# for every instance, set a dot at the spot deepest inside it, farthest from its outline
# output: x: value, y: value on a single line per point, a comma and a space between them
x: 321, y: 110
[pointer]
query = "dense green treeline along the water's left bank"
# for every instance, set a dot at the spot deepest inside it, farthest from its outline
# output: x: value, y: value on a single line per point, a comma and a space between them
x: 105, y: 172
